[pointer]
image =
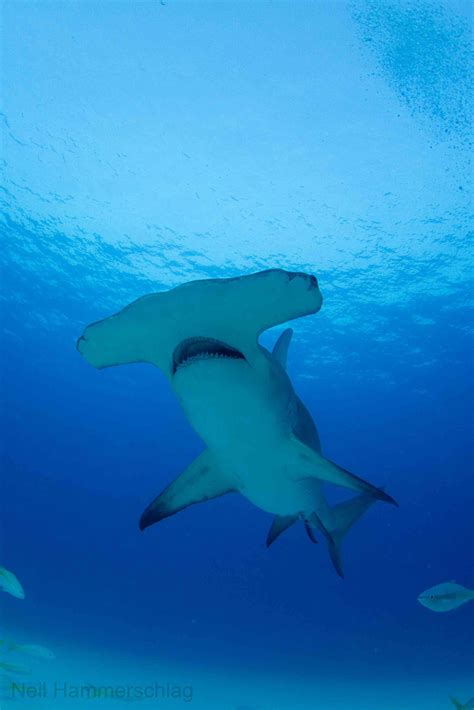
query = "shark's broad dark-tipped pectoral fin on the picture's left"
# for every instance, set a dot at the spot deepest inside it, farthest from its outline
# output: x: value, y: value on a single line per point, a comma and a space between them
x: 201, y: 481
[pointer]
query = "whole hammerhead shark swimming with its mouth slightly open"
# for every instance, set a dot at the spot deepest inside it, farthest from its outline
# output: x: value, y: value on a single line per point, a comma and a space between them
x: 260, y: 438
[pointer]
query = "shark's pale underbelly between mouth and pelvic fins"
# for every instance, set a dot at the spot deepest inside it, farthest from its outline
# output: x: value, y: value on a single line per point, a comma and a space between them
x: 243, y: 416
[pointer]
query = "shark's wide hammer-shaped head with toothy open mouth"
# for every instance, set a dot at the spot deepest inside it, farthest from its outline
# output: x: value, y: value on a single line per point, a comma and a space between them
x: 212, y: 318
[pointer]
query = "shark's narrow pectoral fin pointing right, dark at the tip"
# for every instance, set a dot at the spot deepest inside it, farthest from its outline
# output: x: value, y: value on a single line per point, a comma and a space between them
x: 313, y: 465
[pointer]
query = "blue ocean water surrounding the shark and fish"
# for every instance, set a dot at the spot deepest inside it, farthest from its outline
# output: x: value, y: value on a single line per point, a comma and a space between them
x: 148, y: 144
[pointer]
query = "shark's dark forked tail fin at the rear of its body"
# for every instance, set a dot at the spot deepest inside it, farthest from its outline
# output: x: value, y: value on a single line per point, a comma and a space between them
x: 343, y: 515
